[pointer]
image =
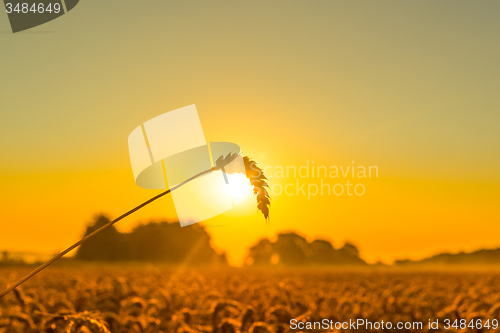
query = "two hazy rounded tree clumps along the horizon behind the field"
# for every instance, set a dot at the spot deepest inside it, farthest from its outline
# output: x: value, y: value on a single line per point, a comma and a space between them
x: 168, y: 243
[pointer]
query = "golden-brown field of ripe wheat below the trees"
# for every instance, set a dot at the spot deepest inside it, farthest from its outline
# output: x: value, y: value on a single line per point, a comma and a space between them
x: 151, y: 300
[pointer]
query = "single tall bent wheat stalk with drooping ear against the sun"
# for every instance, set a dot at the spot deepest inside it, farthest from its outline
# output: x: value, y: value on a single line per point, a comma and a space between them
x: 220, y: 164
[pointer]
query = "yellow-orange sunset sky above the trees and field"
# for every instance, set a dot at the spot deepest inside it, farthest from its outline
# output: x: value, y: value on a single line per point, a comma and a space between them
x: 408, y: 87
